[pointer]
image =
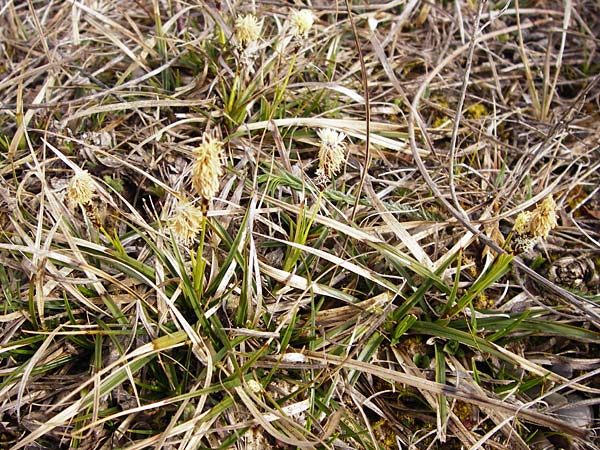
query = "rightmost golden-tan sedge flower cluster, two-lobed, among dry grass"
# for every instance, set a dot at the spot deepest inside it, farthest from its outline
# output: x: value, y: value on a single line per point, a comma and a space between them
x: 532, y: 225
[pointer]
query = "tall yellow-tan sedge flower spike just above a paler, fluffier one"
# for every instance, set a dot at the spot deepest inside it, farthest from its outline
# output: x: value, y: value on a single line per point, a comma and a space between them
x: 207, y: 169
